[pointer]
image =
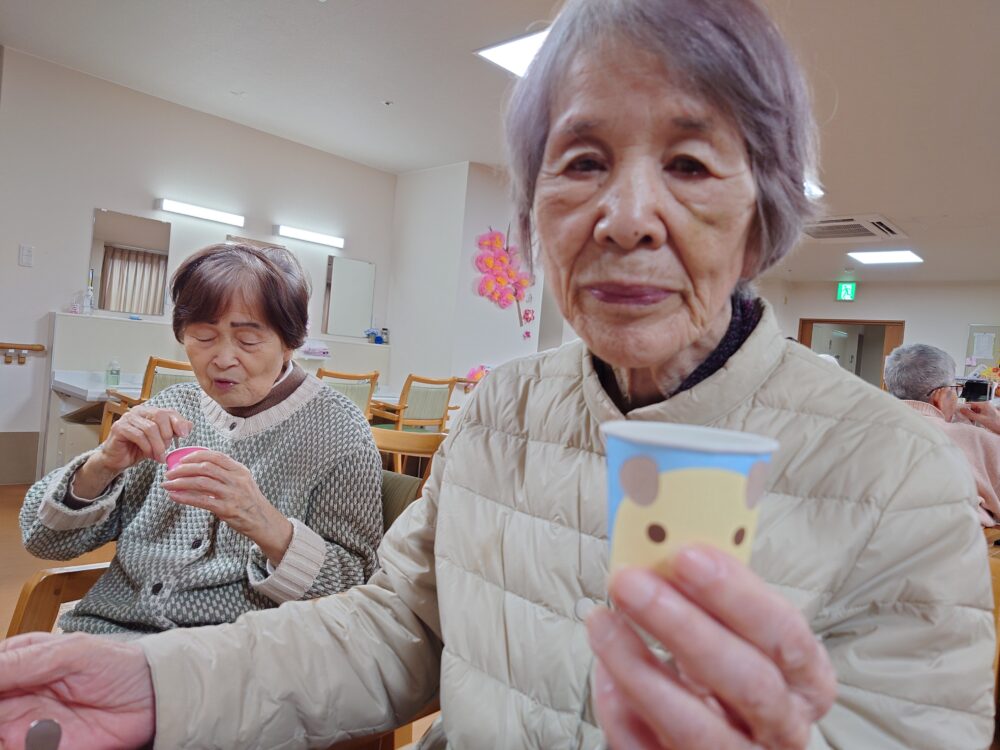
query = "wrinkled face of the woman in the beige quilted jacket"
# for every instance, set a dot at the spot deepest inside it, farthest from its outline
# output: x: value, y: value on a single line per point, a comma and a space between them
x: 643, y: 207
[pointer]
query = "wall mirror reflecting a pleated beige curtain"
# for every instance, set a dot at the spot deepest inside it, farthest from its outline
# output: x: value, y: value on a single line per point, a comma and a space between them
x: 129, y: 257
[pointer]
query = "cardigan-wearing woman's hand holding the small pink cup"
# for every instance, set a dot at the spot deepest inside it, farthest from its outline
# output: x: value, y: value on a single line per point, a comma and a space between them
x: 226, y: 488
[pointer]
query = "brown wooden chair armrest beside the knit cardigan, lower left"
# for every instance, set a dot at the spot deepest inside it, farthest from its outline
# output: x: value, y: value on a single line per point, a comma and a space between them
x: 41, y: 596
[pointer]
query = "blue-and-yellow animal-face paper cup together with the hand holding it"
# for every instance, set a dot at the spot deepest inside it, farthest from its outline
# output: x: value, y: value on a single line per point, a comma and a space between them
x: 746, y: 670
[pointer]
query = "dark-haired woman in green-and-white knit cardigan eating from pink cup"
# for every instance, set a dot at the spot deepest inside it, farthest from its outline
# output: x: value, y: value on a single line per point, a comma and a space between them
x: 284, y: 504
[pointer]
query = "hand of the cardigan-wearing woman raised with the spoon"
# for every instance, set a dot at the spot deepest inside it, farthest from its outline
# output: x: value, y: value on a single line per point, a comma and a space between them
x: 142, y: 433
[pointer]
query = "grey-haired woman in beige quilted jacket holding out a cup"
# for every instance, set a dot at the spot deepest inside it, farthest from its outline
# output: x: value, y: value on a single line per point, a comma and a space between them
x: 659, y: 150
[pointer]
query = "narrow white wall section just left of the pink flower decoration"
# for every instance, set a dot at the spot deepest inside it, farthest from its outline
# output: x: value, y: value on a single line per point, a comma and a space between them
x: 428, y: 228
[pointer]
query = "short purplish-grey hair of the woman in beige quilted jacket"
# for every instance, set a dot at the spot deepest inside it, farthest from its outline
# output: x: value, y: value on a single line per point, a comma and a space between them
x: 731, y: 54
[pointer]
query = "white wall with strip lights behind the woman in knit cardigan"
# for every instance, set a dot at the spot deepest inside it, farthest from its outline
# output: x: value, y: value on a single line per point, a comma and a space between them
x: 70, y: 143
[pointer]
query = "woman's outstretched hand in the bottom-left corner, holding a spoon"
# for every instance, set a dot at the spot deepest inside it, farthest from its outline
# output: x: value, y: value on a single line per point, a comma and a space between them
x: 99, y: 691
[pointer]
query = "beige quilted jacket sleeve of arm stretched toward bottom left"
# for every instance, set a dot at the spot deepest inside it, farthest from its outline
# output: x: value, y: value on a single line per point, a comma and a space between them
x: 311, y: 673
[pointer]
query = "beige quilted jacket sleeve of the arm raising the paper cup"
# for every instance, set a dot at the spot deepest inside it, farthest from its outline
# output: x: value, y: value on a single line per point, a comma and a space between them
x: 910, y: 630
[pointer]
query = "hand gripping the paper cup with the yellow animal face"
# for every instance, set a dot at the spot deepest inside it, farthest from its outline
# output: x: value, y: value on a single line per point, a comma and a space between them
x: 746, y: 672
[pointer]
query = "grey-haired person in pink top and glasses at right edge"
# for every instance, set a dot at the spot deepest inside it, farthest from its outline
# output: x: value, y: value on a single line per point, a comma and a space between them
x: 924, y: 377
